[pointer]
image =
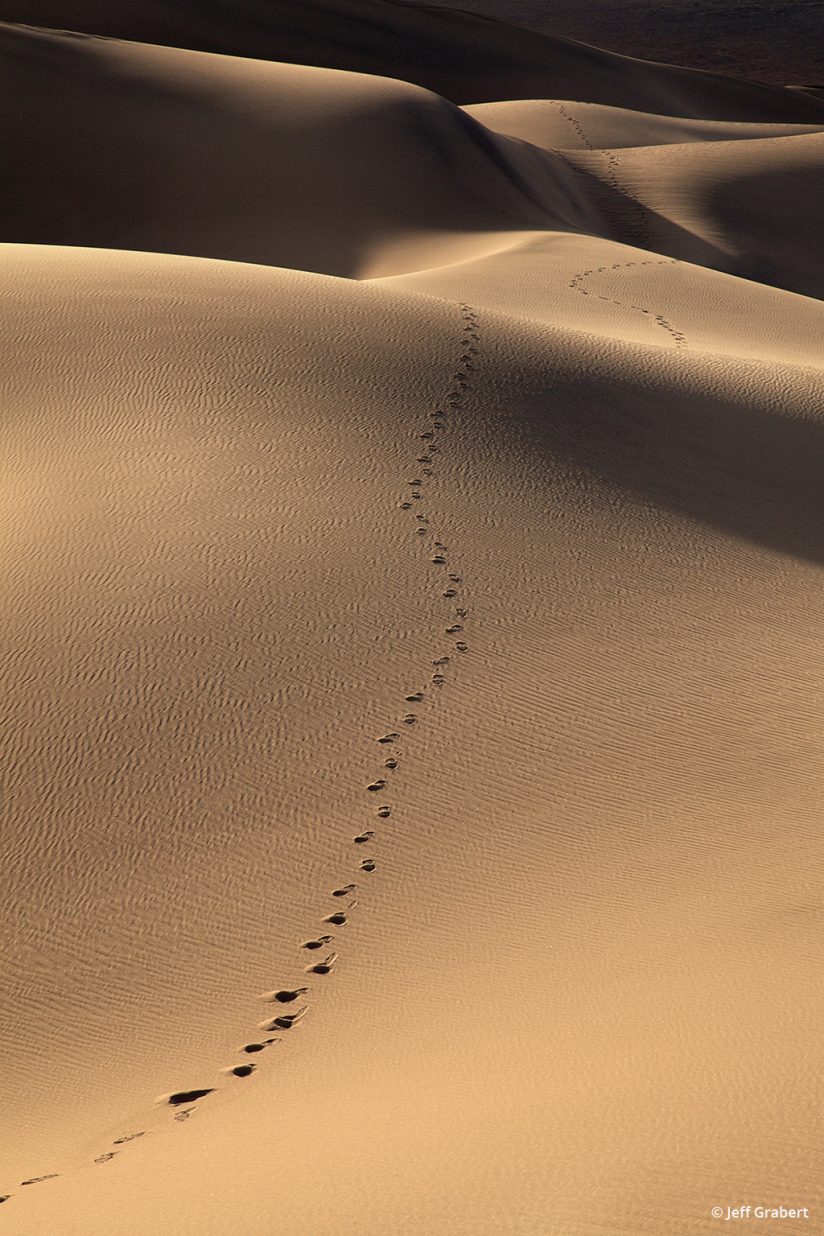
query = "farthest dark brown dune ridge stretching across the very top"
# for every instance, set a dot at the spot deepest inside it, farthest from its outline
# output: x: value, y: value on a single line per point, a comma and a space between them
x: 461, y: 56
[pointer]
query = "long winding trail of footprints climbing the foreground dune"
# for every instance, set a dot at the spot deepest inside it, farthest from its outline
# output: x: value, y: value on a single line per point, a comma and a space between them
x: 429, y: 441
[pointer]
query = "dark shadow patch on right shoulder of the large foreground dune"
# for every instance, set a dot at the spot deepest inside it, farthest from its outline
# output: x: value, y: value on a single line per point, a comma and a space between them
x: 737, y: 462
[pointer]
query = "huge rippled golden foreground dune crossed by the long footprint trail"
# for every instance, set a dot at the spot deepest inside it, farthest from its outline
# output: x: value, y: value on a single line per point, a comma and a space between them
x: 213, y: 575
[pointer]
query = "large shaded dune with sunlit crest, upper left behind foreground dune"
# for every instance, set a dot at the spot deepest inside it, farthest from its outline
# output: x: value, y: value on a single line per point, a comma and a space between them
x: 141, y: 148
